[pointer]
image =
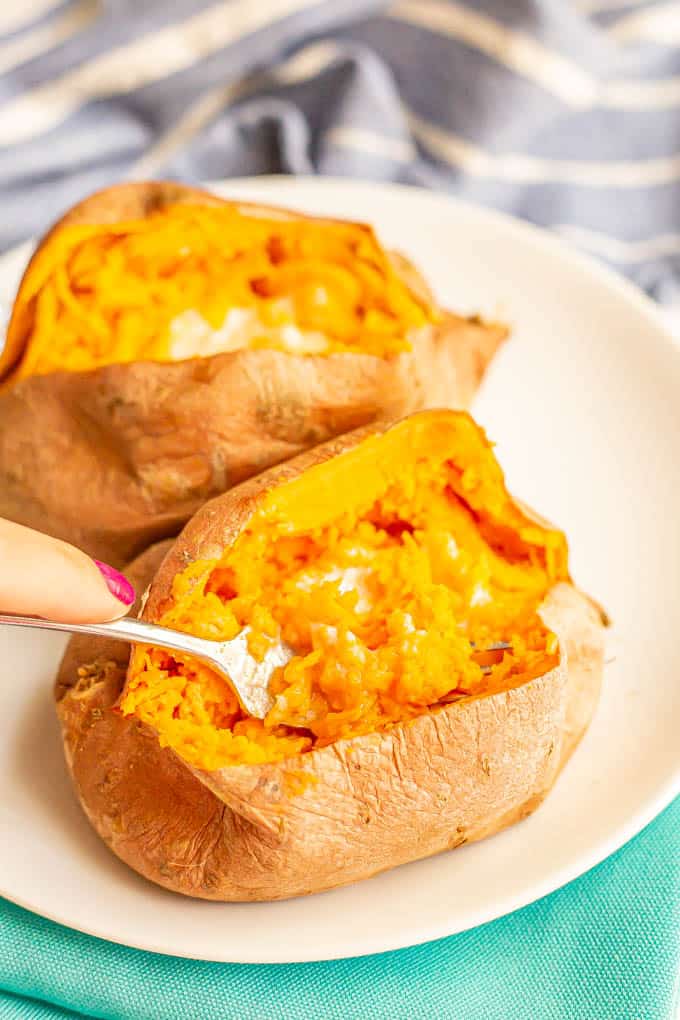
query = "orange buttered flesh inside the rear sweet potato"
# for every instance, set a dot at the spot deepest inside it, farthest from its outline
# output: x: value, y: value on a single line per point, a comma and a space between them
x: 194, y: 281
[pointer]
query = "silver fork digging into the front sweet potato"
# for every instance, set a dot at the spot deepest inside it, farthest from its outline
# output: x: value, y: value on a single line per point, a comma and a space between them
x: 249, y: 678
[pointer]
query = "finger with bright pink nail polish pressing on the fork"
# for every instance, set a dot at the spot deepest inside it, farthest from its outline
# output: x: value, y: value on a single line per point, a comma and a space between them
x: 42, y: 577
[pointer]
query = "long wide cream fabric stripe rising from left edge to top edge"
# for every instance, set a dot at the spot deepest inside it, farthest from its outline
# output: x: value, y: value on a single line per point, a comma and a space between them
x: 148, y: 59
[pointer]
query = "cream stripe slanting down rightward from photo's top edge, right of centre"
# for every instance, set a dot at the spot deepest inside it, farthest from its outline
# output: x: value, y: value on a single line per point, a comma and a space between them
x: 516, y: 50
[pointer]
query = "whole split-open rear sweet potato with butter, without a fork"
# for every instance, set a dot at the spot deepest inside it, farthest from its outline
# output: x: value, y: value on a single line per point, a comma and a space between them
x: 166, y: 345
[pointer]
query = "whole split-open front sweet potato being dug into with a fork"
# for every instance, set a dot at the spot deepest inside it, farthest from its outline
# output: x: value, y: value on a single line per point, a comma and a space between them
x: 390, y: 559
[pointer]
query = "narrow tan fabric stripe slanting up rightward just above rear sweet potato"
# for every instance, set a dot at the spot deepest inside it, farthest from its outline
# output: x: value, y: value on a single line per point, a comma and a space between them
x: 309, y: 63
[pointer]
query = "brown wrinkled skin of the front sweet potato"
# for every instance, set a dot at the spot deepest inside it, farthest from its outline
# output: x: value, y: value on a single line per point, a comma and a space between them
x: 337, y: 814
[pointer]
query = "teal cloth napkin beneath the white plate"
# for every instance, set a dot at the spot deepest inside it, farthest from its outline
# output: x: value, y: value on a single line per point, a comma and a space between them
x: 607, y: 947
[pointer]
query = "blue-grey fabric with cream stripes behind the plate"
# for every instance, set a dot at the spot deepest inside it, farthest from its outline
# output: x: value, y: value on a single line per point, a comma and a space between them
x: 563, y: 112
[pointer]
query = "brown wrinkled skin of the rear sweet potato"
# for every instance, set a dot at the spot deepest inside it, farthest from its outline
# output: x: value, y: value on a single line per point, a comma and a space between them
x: 117, y: 458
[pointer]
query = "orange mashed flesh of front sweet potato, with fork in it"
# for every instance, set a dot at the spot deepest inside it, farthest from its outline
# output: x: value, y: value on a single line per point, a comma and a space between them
x: 383, y: 568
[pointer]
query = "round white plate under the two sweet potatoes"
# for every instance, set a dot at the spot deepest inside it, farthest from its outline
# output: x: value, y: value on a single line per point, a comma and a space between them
x: 586, y: 404
